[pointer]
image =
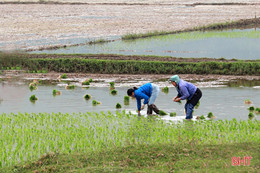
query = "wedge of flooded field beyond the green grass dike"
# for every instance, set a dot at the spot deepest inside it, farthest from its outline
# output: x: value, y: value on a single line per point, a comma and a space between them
x: 229, y: 44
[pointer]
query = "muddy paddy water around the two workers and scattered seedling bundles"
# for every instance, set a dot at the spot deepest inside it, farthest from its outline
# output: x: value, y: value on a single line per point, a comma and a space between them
x: 223, y: 102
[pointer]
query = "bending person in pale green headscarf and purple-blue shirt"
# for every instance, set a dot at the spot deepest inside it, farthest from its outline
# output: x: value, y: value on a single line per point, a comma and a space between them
x: 188, y: 91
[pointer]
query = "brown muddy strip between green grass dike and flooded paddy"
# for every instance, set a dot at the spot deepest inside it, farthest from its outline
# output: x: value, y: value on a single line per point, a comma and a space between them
x: 55, y: 76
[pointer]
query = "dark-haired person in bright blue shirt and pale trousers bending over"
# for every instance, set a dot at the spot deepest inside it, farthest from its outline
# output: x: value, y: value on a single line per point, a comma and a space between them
x: 149, y: 93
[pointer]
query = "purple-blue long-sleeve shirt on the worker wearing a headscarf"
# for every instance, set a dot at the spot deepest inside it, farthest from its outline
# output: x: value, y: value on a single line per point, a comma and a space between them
x: 185, y: 90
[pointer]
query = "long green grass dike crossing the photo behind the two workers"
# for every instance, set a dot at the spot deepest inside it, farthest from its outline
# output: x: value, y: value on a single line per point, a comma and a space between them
x: 76, y: 64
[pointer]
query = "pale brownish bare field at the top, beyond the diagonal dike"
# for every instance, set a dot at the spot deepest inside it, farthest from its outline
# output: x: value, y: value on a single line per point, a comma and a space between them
x: 25, y: 26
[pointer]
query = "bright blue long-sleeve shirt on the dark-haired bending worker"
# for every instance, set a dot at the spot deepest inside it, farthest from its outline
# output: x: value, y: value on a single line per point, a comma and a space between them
x: 143, y: 92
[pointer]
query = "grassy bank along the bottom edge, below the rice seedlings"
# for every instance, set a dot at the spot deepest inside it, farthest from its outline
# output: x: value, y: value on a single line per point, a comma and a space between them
x: 150, y: 158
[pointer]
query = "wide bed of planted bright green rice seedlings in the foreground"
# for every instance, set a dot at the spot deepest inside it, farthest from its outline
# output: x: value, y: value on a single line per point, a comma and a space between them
x: 28, y: 136
